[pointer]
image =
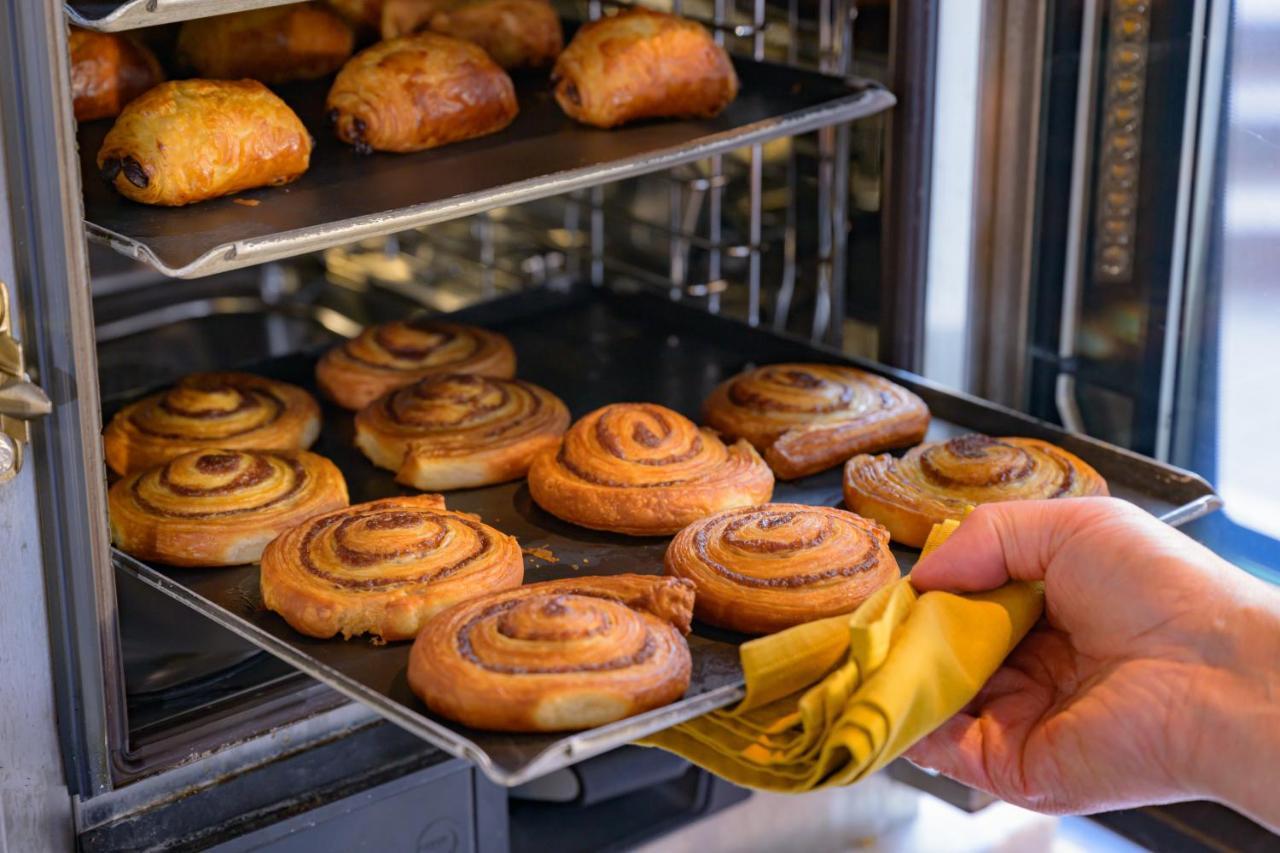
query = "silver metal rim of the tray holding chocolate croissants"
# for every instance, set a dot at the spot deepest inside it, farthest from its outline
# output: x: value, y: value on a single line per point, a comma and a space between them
x: 868, y: 101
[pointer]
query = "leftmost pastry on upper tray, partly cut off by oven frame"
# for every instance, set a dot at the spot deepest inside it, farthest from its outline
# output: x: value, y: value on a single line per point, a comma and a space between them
x: 108, y: 72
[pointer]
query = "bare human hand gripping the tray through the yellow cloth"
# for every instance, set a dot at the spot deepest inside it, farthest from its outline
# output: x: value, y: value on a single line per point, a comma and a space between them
x: 1153, y: 677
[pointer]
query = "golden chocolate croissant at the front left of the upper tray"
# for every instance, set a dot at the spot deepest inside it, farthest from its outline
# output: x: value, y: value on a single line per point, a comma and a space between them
x: 193, y: 140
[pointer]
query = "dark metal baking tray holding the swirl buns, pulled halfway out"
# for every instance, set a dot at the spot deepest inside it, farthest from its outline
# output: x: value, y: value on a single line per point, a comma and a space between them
x: 596, y: 348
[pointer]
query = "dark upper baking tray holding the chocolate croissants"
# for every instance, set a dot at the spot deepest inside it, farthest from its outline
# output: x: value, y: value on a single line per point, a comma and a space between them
x: 346, y: 197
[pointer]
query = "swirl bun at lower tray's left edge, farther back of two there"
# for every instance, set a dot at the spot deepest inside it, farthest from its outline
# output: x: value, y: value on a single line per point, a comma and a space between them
x: 228, y: 410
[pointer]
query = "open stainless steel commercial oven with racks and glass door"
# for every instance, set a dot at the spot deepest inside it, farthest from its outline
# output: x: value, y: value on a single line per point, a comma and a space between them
x: 1009, y: 208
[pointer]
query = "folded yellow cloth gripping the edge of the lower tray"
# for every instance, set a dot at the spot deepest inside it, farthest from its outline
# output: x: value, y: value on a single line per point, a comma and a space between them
x: 834, y: 701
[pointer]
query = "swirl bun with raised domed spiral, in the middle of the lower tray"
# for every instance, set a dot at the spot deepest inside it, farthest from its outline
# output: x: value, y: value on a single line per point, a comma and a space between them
x: 646, y: 471
